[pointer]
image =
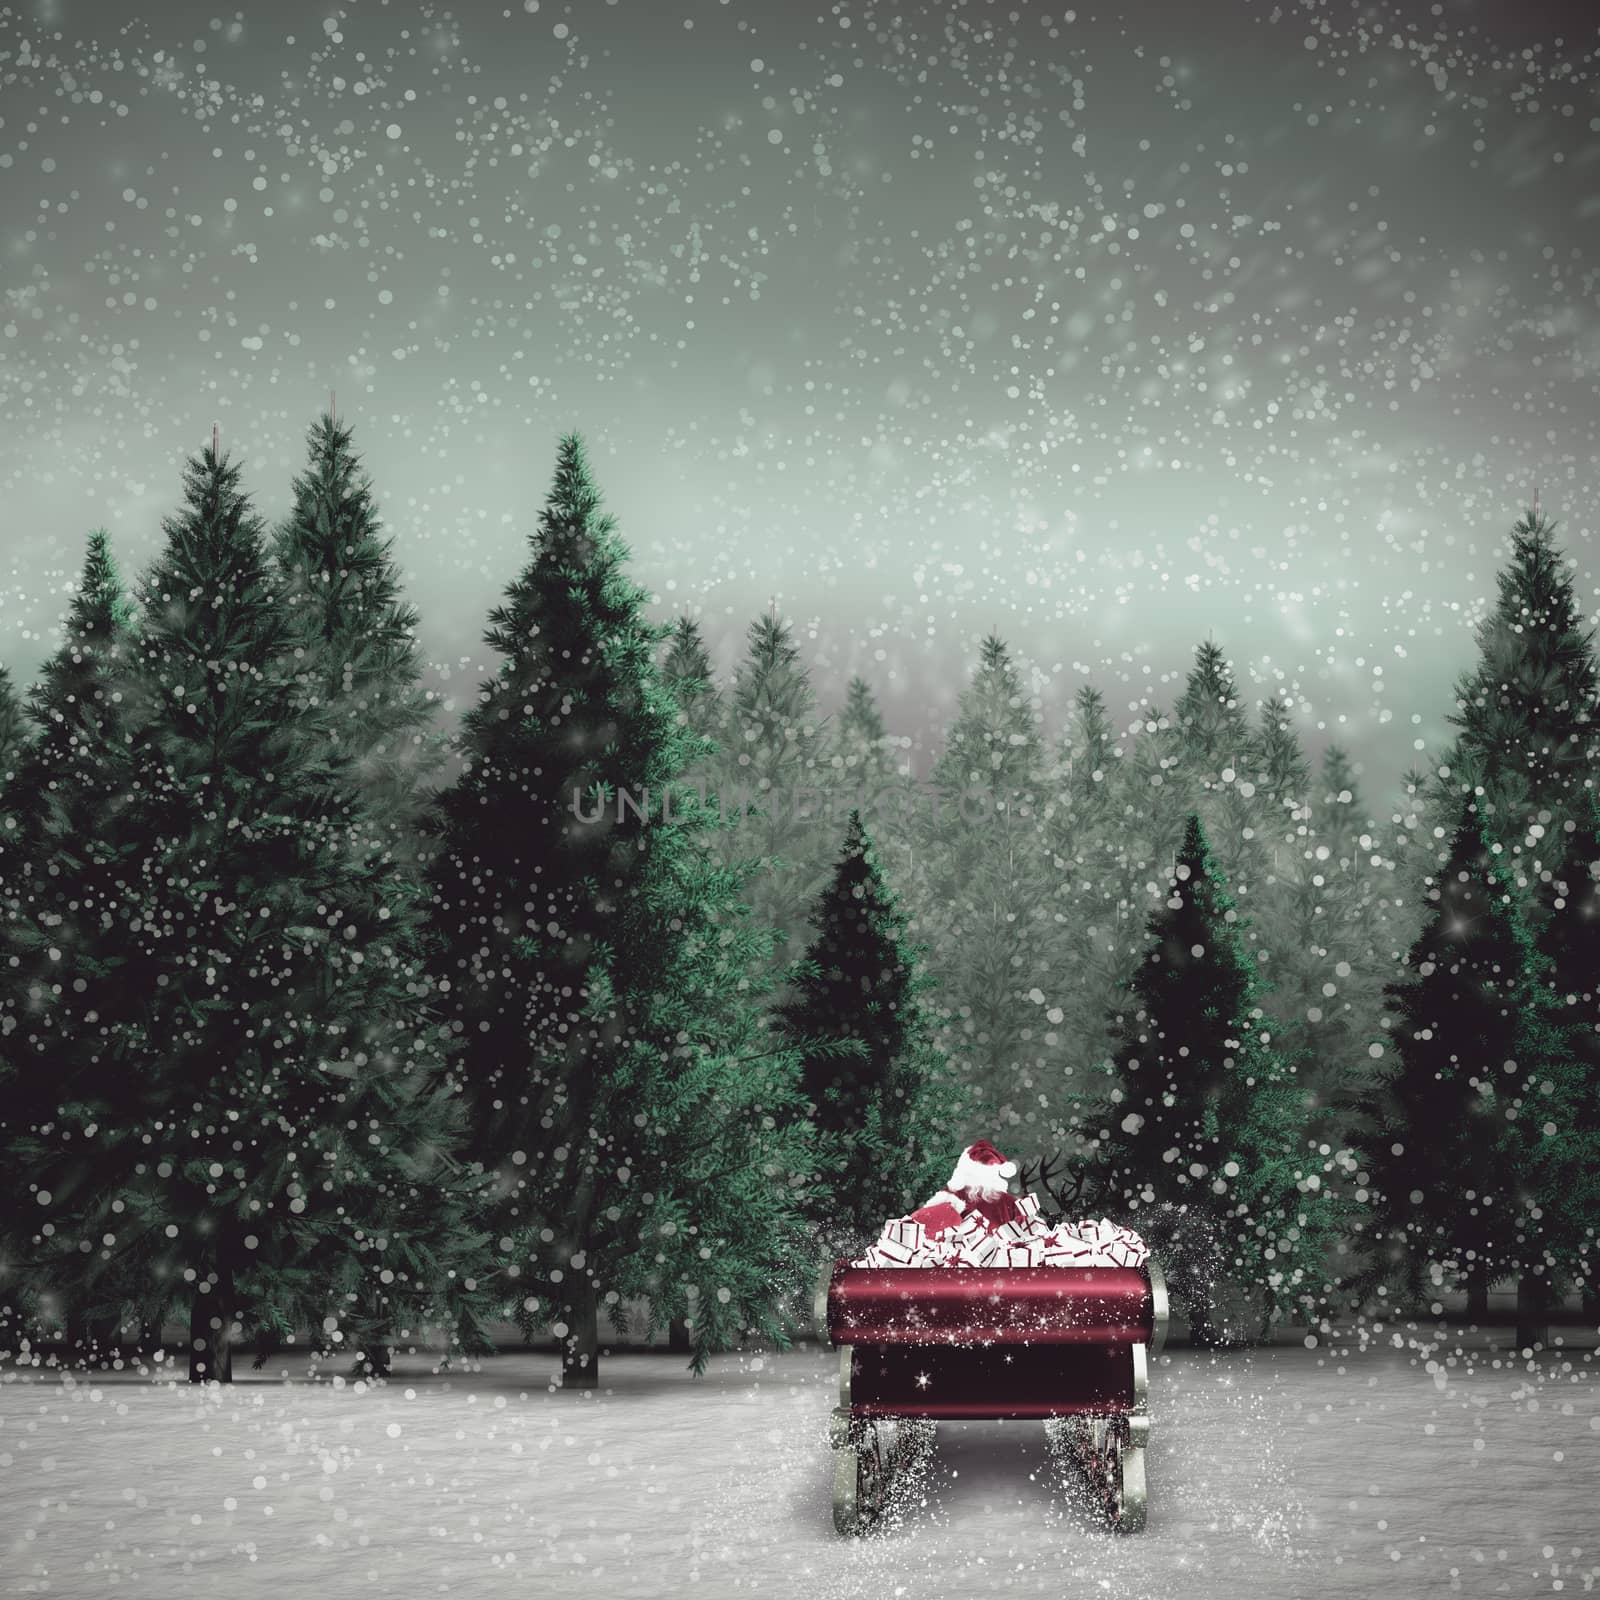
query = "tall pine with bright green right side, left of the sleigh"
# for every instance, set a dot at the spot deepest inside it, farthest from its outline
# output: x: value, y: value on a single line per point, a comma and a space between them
x: 639, y: 1126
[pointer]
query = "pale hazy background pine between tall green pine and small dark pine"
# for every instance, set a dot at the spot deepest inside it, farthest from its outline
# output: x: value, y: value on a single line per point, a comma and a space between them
x: 772, y: 775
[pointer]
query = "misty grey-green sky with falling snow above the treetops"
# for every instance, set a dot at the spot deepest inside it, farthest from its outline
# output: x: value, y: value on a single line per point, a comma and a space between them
x: 1103, y: 327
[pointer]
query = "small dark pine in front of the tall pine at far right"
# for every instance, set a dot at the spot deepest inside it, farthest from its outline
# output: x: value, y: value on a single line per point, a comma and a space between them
x: 1470, y: 1026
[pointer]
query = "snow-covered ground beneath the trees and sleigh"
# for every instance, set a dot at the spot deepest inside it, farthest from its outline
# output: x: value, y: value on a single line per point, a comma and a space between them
x: 1279, y: 1473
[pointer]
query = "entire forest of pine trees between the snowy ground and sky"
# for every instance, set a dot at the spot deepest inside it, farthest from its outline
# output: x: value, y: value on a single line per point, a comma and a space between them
x: 681, y: 983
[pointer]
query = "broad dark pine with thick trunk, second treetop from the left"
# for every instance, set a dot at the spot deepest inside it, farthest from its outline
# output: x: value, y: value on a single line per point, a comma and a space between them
x: 257, y: 1119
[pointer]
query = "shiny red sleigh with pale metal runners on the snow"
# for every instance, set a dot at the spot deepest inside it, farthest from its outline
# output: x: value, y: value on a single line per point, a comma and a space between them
x: 1065, y: 1346
